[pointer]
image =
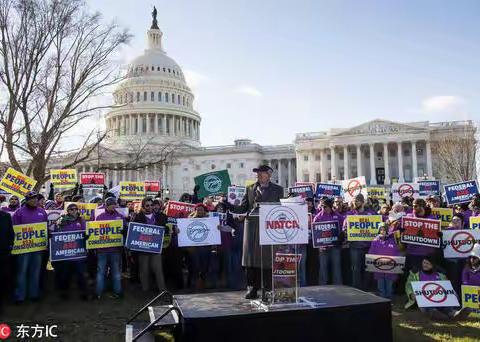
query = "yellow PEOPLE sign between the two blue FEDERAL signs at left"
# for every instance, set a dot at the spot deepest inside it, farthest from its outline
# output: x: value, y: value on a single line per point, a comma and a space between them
x: 104, y: 234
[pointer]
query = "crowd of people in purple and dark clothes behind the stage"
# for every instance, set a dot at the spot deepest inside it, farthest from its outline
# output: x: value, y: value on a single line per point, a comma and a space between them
x: 221, y: 267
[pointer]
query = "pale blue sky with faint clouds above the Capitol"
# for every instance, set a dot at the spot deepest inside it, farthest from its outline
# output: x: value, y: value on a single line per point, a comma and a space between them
x: 266, y: 70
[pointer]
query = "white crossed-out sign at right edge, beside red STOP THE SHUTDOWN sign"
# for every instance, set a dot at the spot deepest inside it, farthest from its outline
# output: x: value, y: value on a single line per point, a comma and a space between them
x: 459, y: 243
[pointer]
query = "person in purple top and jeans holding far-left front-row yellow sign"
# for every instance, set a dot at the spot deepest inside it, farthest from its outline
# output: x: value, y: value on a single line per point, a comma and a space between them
x: 29, y: 264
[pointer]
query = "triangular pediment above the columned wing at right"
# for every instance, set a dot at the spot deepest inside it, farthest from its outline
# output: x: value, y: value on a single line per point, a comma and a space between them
x: 379, y: 127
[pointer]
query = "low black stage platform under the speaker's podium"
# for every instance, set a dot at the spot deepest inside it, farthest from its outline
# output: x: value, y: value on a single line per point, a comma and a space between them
x: 341, y: 314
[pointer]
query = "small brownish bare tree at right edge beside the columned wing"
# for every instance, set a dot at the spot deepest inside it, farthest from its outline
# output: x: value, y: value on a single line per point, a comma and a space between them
x: 455, y: 155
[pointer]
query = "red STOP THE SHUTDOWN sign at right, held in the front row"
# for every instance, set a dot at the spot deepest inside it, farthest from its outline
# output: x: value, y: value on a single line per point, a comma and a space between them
x: 422, y: 232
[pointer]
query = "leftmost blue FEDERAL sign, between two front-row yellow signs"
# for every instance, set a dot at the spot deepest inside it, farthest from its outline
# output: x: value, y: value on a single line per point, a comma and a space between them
x: 67, y: 246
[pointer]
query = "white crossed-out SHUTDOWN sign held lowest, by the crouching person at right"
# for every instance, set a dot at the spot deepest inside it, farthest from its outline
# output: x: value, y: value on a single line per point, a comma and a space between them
x: 437, y: 293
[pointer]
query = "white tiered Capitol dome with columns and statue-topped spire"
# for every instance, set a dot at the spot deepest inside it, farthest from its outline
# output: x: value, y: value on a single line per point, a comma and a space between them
x: 154, y: 101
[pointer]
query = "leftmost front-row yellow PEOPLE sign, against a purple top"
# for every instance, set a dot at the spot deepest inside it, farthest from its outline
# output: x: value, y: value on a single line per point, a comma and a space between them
x: 30, y: 238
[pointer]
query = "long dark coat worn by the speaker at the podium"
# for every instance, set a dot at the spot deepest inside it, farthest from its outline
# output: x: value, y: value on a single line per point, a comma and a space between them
x: 253, y: 254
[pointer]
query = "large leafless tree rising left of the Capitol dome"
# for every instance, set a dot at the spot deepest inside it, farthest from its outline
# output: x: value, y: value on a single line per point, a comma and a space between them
x: 55, y: 60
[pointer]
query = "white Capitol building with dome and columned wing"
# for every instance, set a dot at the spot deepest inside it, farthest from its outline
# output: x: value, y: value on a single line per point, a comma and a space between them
x: 154, y: 134
